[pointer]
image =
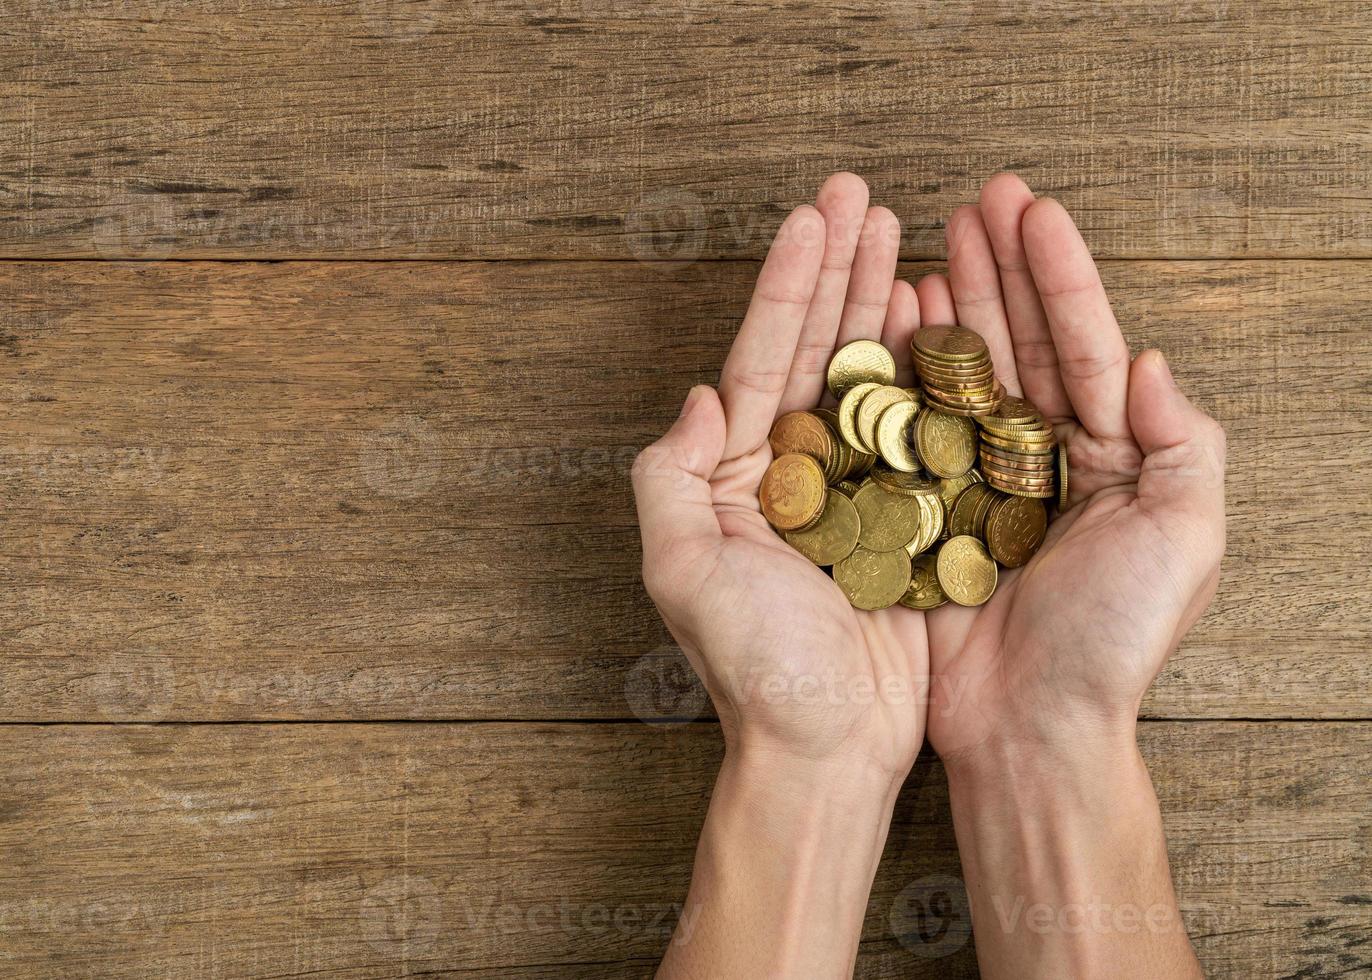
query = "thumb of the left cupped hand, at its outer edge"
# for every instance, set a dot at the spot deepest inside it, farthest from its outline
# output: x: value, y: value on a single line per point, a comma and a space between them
x: 672, y: 484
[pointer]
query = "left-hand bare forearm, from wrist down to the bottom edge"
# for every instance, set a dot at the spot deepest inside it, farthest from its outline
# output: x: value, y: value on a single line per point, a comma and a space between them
x: 783, y: 871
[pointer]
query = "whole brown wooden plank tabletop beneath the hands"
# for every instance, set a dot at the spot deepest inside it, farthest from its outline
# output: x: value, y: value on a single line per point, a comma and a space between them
x: 322, y: 640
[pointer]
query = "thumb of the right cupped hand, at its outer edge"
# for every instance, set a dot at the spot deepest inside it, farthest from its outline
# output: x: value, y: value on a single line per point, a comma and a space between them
x: 1183, y: 448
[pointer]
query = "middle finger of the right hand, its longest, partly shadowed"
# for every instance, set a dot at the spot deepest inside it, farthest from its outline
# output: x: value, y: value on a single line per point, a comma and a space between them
x: 1005, y: 200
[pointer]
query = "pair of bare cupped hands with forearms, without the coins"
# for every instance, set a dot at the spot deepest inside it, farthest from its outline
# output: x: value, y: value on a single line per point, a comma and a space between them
x: 1031, y: 699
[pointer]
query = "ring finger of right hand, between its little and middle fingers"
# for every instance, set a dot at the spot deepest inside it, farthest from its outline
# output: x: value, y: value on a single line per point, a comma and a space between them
x: 976, y: 290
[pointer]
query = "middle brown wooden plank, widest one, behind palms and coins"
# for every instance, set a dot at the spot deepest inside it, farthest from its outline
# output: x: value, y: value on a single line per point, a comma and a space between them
x: 400, y: 491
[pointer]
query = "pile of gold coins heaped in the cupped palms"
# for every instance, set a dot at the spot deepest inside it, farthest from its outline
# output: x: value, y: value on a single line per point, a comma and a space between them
x: 916, y: 496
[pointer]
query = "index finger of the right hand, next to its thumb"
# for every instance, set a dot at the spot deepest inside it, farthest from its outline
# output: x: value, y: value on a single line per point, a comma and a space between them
x: 1093, y: 358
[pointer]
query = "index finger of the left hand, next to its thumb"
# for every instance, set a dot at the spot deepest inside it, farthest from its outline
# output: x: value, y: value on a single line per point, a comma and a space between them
x: 759, y: 363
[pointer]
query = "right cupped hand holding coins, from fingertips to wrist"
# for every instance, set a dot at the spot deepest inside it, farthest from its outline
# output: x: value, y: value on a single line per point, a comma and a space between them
x: 1068, y: 644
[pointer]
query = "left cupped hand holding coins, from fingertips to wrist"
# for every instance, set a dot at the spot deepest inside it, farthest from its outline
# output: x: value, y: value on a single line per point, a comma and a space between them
x: 791, y: 666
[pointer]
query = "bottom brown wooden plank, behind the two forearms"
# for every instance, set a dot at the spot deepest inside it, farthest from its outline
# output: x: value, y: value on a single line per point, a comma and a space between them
x: 563, y: 850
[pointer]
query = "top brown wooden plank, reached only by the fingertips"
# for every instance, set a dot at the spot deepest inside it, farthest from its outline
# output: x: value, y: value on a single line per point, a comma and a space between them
x: 589, y: 128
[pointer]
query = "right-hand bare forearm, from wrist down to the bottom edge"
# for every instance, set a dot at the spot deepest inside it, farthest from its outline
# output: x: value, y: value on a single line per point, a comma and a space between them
x: 1065, y: 864
